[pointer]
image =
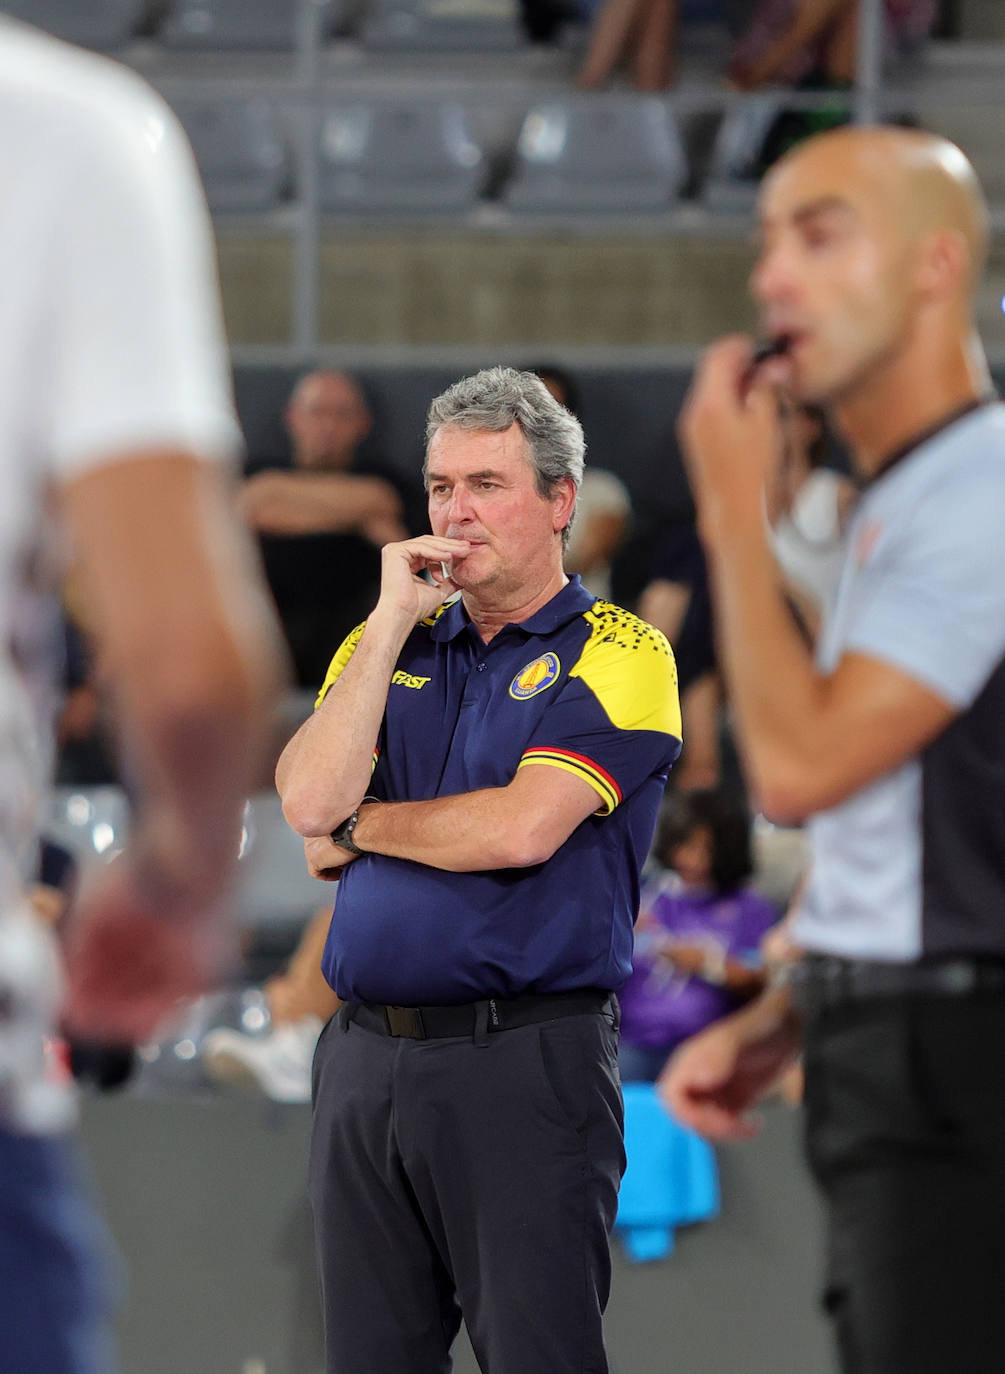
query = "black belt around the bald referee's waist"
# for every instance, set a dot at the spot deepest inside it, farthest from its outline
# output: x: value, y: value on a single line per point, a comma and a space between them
x: 827, y: 982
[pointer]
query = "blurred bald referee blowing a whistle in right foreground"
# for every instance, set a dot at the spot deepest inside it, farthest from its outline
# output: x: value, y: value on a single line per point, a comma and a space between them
x: 890, y: 744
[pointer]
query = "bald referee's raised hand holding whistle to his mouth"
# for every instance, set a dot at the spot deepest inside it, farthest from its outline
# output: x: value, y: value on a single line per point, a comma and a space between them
x: 731, y: 436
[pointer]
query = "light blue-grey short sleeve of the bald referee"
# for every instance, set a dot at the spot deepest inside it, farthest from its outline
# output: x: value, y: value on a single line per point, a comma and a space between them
x: 931, y: 600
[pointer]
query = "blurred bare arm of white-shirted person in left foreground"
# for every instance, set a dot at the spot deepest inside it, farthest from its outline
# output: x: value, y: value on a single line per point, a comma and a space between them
x: 195, y: 662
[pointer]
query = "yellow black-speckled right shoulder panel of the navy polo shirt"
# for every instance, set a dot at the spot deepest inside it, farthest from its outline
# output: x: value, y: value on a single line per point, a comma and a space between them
x: 629, y: 667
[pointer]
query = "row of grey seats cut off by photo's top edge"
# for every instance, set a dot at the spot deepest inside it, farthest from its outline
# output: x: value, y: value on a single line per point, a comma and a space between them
x: 273, y: 25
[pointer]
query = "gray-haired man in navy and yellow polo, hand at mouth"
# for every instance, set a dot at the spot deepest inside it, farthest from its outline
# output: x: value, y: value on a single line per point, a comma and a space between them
x: 511, y: 744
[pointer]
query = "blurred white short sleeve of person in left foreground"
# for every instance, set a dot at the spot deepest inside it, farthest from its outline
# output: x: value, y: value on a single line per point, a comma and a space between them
x: 138, y: 355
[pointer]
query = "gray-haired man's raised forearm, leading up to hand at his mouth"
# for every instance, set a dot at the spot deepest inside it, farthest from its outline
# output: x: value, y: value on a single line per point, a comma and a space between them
x: 325, y: 770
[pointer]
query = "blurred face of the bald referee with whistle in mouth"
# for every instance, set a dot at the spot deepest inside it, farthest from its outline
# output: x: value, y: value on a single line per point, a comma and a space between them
x: 834, y: 274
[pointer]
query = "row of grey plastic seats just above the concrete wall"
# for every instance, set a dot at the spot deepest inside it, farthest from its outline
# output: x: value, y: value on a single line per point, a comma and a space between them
x: 578, y: 155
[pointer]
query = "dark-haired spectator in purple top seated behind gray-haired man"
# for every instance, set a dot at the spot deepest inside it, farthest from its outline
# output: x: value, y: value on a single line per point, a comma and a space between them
x: 698, y: 939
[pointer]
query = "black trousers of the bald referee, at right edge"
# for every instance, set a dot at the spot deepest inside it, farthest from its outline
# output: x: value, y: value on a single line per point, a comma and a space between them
x: 907, y: 1138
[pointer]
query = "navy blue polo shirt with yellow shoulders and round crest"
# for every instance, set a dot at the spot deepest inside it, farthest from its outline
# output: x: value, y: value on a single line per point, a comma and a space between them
x: 582, y: 686
